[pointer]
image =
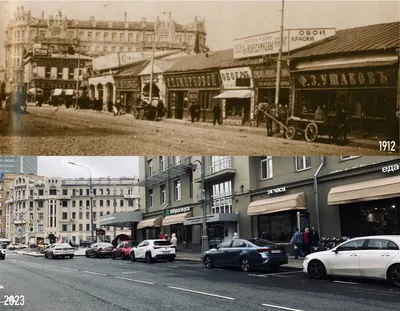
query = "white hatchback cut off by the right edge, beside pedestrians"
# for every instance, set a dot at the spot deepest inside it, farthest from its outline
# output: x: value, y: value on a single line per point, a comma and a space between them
x: 375, y: 257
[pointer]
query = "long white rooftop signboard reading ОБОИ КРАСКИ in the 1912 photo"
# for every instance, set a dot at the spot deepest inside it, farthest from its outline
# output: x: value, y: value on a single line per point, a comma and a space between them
x: 269, y: 43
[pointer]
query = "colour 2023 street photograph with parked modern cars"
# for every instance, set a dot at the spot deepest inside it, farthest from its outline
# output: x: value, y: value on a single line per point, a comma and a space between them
x: 200, y: 232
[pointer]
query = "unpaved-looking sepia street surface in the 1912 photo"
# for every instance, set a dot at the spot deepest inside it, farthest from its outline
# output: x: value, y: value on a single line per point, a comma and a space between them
x: 45, y: 131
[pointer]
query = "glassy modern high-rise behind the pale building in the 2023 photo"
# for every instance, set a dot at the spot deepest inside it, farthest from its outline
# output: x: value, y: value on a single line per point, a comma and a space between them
x: 18, y: 165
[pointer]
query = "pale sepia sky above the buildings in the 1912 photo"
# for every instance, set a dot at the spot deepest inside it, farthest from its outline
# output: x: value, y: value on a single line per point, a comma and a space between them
x: 225, y: 20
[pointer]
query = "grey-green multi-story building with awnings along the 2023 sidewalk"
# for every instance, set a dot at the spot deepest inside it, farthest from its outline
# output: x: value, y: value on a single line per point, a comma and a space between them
x: 348, y: 196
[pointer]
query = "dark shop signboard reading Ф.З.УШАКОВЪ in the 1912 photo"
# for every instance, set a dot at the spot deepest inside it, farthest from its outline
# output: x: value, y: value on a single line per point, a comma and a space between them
x: 347, y: 78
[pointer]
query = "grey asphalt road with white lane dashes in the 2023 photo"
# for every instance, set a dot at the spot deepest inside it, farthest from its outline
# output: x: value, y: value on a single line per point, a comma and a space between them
x: 105, y: 284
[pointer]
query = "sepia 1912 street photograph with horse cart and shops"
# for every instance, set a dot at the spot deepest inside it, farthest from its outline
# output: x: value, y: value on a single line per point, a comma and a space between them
x: 209, y: 77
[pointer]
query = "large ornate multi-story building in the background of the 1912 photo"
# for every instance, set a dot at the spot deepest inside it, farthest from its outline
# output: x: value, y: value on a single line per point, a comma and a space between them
x: 56, y: 33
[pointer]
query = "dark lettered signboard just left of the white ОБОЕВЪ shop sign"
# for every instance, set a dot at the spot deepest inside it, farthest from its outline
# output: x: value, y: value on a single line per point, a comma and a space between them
x: 206, y: 80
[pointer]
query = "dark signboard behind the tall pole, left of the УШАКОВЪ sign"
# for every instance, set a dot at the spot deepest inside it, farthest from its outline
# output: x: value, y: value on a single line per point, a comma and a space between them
x: 264, y: 76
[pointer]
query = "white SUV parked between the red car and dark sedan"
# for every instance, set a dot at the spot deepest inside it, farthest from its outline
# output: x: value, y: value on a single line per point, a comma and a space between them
x: 151, y: 250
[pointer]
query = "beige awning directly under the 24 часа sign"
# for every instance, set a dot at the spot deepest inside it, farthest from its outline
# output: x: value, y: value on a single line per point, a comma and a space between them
x: 278, y: 204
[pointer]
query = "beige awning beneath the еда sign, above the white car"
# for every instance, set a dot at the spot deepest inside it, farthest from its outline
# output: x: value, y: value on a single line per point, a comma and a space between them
x: 377, y: 189
